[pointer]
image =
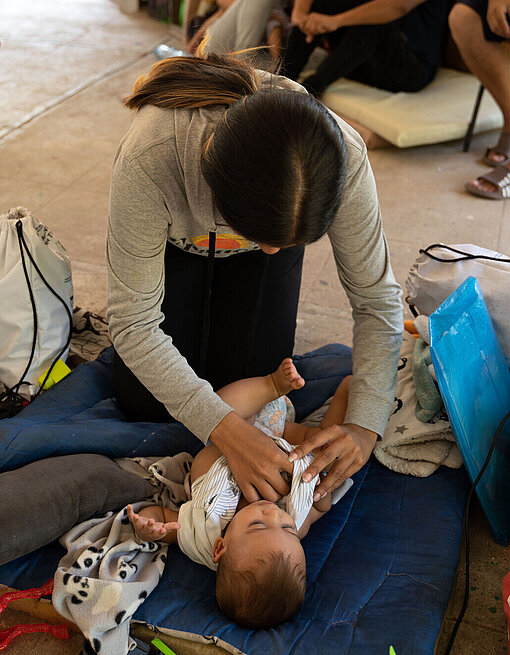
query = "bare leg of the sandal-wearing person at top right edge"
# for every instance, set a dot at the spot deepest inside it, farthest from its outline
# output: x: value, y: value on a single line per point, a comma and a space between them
x: 488, y: 60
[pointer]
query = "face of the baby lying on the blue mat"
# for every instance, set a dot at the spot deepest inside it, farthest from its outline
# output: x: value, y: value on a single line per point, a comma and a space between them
x: 260, y: 528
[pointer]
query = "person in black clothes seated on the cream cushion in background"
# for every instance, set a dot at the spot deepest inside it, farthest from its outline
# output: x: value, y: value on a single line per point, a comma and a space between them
x: 390, y: 44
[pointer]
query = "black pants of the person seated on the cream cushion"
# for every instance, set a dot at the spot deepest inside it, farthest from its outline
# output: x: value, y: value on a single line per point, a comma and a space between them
x: 378, y: 55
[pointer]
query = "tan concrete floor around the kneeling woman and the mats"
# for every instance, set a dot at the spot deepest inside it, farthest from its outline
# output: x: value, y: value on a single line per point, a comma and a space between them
x: 65, y: 67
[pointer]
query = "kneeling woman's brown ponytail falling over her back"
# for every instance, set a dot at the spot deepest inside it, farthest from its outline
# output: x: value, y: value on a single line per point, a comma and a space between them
x: 194, y: 82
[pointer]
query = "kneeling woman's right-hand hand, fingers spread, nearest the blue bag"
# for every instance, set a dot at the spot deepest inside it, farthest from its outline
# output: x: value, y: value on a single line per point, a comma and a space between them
x: 345, y: 447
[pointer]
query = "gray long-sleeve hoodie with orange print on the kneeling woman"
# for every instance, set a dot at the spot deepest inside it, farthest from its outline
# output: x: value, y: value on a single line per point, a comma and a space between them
x: 158, y: 194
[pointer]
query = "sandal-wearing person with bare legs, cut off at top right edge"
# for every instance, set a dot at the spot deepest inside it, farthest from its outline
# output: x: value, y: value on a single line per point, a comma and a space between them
x: 480, y: 28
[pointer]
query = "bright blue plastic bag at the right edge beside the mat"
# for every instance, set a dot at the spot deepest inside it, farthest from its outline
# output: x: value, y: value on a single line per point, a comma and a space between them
x: 474, y: 382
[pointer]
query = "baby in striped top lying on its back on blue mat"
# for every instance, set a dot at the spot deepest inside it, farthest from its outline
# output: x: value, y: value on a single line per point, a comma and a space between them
x: 256, y: 548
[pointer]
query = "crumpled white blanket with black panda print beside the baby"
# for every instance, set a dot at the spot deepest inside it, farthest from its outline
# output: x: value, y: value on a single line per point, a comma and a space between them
x: 107, y: 571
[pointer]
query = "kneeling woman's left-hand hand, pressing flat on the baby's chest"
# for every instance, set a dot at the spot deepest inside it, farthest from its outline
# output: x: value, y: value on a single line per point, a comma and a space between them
x: 255, y: 460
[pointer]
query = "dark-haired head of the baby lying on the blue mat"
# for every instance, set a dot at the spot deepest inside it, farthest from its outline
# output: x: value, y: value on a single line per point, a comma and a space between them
x: 261, y: 578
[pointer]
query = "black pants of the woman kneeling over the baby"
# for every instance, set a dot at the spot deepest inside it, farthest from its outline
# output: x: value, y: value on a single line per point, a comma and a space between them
x: 254, y: 301
